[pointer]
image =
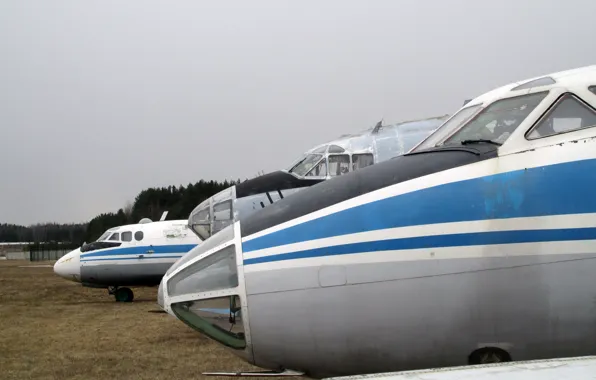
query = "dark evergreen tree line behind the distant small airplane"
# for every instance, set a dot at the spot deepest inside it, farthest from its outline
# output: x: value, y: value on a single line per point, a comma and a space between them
x: 149, y: 203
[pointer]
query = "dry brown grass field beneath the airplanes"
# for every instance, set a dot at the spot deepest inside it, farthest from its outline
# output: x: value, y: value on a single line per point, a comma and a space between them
x: 51, y: 328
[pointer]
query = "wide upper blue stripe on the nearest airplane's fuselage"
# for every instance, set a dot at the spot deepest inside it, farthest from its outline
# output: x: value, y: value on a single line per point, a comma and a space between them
x: 542, y: 191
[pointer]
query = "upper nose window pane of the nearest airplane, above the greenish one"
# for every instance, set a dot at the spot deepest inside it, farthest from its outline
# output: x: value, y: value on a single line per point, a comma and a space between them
x: 214, y: 272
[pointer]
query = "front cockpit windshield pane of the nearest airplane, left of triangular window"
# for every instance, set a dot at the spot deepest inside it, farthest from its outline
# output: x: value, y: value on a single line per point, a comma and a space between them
x: 498, y: 121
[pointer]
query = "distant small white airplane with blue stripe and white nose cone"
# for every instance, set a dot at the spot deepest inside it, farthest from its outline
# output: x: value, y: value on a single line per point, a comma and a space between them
x: 136, y: 255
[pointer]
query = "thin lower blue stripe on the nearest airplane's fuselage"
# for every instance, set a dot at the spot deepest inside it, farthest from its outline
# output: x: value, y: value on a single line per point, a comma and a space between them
x: 438, y: 241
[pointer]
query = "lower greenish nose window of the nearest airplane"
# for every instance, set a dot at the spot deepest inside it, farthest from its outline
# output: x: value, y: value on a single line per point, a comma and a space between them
x: 218, y: 318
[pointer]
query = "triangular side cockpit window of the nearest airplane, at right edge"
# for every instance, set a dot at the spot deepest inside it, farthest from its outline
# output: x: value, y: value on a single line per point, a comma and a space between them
x: 568, y: 114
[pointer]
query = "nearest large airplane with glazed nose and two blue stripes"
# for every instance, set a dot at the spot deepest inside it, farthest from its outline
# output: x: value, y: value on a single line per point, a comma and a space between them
x: 476, y: 246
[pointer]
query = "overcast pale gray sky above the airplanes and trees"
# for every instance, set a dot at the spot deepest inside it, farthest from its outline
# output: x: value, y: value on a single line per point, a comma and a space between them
x: 101, y: 99
